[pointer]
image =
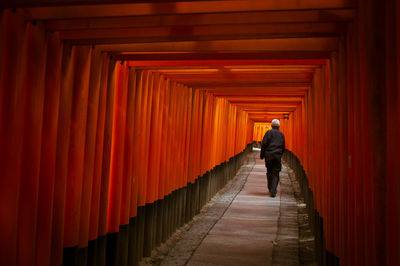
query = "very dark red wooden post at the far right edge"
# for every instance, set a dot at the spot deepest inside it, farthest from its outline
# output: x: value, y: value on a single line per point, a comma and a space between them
x: 393, y: 131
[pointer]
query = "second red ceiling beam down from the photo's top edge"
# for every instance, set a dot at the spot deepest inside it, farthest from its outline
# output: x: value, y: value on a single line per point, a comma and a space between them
x: 229, y: 18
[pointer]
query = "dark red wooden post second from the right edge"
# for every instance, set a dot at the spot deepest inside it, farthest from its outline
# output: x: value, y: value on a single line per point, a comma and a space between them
x: 372, y: 121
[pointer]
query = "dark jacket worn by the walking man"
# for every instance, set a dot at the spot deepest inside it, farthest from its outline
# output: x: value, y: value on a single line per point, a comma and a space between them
x: 273, y: 145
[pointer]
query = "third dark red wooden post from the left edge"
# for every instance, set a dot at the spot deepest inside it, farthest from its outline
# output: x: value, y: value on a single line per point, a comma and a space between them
x: 48, y: 150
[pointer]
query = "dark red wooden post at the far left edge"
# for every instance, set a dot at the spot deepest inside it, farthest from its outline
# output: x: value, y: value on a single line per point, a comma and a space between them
x: 11, y: 132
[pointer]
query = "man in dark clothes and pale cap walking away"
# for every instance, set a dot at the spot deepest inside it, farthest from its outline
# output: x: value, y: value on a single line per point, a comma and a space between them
x: 272, y: 148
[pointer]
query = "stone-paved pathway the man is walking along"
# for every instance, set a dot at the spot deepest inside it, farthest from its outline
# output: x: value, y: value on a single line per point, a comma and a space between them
x: 243, y: 225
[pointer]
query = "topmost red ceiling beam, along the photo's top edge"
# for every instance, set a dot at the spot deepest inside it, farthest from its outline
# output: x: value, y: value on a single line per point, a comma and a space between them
x: 74, y: 10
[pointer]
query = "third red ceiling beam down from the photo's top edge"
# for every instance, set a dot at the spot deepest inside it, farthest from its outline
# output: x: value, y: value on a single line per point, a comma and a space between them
x: 201, y: 33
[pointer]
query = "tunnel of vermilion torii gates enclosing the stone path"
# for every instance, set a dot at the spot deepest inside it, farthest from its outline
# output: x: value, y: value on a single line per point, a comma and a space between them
x: 112, y: 113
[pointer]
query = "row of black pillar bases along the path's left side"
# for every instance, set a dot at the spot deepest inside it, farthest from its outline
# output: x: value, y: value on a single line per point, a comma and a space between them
x: 155, y: 222
